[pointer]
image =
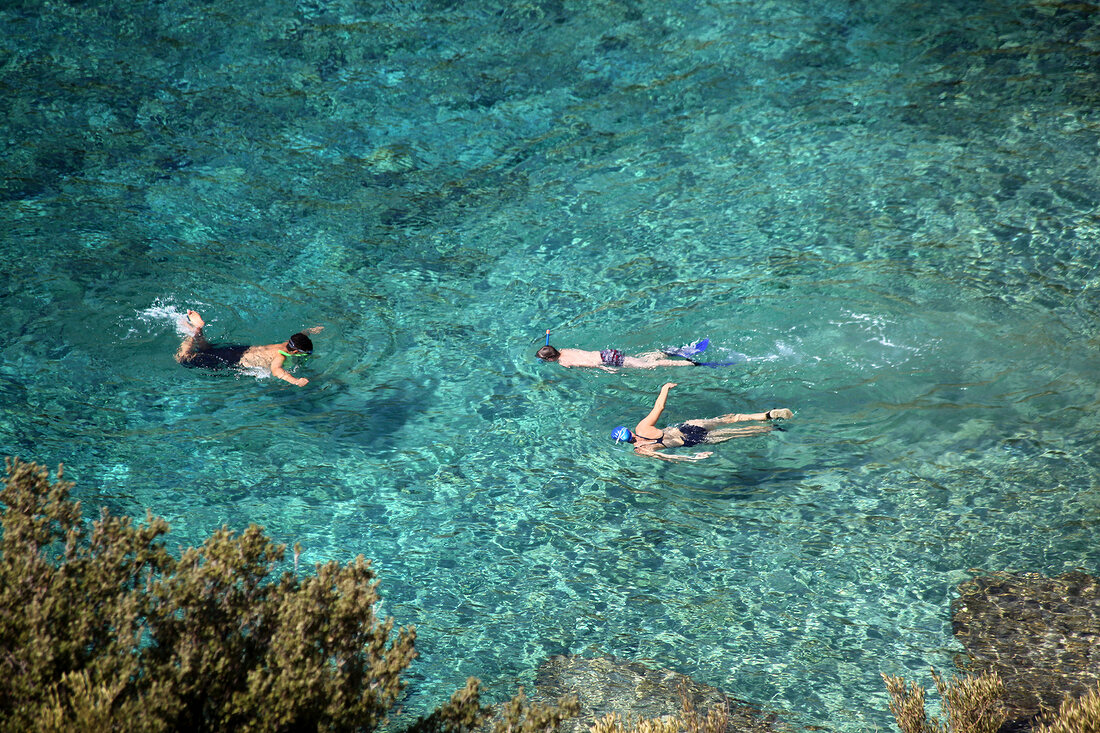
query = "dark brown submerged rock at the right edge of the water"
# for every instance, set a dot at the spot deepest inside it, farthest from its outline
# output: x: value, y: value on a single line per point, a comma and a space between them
x: 1042, y: 636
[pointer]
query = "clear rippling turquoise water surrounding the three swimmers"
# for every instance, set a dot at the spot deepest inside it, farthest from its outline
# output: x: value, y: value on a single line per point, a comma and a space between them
x: 889, y: 209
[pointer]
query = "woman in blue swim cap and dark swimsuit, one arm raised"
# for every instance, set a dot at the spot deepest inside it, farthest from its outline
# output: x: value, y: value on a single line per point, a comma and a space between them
x: 648, y: 440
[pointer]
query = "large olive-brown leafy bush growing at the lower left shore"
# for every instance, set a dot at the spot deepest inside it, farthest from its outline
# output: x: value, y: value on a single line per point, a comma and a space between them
x: 103, y: 629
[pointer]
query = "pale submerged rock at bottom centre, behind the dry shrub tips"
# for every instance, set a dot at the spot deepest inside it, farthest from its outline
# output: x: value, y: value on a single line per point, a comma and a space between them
x: 606, y: 685
